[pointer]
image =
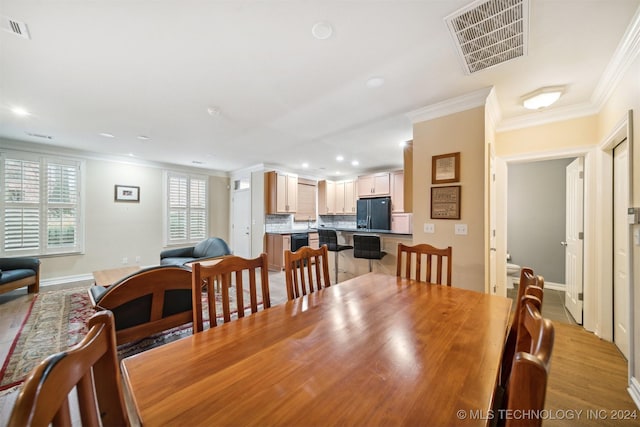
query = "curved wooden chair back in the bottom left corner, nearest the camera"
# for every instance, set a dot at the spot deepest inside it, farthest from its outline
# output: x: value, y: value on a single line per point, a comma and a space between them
x: 91, y: 367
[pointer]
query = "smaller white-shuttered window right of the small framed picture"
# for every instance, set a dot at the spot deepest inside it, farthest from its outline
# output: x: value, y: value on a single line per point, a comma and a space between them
x: 186, y: 208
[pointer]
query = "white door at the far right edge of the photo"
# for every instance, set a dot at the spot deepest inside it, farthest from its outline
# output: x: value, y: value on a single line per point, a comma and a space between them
x: 621, y: 295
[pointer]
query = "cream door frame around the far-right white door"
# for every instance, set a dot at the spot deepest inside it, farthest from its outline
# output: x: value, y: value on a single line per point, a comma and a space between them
x: 605, y: 234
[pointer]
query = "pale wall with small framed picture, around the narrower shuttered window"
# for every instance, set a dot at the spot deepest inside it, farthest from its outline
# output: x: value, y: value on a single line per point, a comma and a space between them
x: 117, y: 230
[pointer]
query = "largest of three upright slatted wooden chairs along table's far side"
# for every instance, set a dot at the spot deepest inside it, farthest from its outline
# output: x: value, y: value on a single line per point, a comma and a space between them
x: 227, y: 272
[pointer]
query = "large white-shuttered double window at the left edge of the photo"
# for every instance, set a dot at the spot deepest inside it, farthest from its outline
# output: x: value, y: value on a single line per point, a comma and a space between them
x: 40, y: 205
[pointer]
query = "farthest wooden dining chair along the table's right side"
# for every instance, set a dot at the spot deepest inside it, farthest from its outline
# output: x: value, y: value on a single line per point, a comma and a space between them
x: 530, y: 284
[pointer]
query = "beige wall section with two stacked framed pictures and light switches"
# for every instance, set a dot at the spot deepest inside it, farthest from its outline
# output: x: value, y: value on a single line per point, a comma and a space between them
x: 463, y: 132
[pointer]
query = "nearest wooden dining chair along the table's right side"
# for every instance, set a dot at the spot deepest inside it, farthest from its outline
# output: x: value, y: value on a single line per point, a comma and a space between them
x: 526, y: 386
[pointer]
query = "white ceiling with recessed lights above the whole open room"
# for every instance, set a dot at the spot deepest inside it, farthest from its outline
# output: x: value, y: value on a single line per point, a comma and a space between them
x: 277, y: 95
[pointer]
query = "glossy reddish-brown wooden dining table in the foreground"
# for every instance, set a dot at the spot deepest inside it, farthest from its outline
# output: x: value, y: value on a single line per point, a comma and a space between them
x: 373, y: 350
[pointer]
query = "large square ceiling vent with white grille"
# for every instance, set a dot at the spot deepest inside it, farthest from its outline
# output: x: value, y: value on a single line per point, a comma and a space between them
x: 488, y: 33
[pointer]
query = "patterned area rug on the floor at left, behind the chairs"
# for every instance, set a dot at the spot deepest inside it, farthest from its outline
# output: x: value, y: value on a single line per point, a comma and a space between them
x: 57, y: 320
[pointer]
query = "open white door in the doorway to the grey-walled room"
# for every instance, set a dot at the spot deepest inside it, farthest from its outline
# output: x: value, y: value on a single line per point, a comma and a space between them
x: 574, y: 239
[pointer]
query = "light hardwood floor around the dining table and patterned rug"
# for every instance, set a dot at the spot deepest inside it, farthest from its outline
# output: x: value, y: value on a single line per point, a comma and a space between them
x: 587, y: 373
